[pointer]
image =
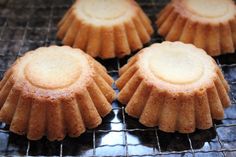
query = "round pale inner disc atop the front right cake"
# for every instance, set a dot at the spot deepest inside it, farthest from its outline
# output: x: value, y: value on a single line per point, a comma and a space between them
x: 176, y: 65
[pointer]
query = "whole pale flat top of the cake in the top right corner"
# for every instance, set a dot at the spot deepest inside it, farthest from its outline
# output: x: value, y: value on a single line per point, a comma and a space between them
x: 207, y: 11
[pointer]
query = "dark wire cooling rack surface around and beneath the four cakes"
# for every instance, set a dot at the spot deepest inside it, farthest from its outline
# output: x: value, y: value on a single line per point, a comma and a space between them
x: 26, y: 25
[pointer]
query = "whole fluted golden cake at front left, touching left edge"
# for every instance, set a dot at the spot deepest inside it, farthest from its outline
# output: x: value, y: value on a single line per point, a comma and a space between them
x: 55, y: 91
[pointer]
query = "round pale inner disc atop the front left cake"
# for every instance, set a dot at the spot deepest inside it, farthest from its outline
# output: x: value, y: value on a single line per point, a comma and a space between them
x: 52, y: 72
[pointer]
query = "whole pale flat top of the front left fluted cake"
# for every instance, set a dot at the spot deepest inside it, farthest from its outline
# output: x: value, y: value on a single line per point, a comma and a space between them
x: 53, y: 71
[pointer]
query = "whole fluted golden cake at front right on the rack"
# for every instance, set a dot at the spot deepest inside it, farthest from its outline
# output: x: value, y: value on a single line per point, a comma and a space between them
x: 175, y: 86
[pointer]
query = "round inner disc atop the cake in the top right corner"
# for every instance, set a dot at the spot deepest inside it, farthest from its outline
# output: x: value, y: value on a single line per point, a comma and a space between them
x: 209, y: 8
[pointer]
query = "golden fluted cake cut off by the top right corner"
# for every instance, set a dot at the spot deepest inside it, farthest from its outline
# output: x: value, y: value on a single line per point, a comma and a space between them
x: 210, y: 25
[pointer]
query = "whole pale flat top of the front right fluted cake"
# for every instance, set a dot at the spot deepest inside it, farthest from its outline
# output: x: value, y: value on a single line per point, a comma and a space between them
x: 176, y: 66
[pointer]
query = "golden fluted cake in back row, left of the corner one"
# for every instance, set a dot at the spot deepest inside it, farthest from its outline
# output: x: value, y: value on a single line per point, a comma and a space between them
x: 105, y: 28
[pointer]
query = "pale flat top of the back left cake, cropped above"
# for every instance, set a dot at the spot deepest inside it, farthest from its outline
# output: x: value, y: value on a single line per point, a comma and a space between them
x: 104, y: 12
